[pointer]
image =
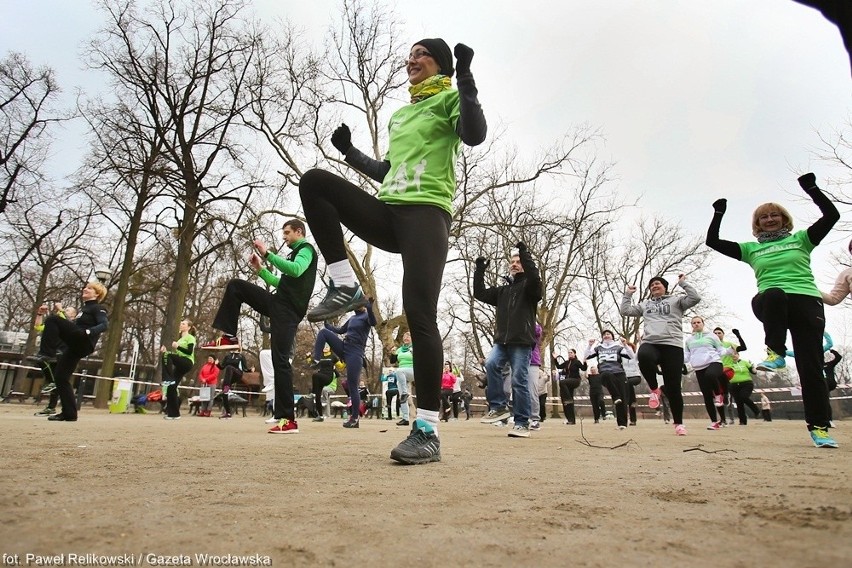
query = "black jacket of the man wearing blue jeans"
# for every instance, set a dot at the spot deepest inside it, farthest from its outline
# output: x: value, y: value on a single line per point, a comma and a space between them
x: 516, y: 302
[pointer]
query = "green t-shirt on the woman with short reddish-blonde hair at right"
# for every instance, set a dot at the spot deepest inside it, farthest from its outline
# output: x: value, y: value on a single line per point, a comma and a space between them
x: 784, y: 264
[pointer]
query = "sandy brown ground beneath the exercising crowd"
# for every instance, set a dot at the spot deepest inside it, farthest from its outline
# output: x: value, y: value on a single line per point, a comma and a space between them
x: 141, y: 486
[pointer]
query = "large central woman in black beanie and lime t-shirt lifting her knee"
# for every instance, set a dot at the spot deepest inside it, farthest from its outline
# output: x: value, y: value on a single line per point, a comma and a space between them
x: 411, y: 215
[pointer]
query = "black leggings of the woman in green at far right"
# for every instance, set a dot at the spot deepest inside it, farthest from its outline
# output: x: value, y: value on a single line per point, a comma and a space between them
x: 804, y: 316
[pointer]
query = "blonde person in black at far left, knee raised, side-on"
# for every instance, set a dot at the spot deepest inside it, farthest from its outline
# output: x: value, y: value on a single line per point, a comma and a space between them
x: 80, y: 337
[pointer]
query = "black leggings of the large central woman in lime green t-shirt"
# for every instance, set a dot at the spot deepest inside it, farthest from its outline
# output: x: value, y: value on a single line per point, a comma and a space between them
x: 419, y: 233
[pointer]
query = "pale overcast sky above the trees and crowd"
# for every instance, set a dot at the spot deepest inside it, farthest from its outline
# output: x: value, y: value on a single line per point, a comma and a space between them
x: 697, y: 100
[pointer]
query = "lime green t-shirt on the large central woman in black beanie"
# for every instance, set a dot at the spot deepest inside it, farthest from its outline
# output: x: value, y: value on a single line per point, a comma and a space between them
x: 422, y: 149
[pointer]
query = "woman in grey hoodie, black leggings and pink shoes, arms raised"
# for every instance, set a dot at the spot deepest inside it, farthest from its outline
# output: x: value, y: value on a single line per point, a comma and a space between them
x: 662, y: 342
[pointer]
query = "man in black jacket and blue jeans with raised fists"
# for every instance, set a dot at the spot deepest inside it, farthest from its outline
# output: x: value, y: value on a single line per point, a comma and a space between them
x: 514, y: 337
